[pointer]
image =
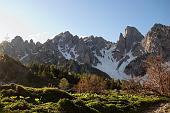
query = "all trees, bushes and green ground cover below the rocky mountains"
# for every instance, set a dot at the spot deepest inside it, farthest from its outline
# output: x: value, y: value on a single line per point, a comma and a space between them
x: 59, y: 90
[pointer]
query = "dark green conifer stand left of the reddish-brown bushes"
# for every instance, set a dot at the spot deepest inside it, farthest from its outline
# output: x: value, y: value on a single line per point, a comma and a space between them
x: 50, y: 75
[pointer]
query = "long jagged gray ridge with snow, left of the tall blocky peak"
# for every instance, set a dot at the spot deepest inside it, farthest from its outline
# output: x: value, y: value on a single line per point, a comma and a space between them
x: 94, y: 51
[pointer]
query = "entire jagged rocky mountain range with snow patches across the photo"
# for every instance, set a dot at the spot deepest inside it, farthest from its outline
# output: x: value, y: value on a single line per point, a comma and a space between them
x: 96, y: 52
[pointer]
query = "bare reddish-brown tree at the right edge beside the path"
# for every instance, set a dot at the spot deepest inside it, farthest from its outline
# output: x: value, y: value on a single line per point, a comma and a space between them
x: 158, y: 73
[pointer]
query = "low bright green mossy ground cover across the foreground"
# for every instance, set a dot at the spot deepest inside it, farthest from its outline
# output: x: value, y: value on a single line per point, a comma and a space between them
x: 16, y: 99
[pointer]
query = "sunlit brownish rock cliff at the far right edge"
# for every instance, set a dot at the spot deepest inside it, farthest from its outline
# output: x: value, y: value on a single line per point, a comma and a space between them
x: 158, y: 41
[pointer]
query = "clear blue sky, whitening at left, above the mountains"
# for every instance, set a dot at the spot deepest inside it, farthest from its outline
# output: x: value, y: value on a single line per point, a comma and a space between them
x: 43, y: 19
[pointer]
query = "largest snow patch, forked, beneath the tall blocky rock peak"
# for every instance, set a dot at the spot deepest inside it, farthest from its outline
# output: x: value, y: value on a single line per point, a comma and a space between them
x: 108, y: 64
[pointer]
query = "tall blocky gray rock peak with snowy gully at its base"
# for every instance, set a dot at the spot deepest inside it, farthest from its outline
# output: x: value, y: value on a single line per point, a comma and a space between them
x: 128, y: 47
